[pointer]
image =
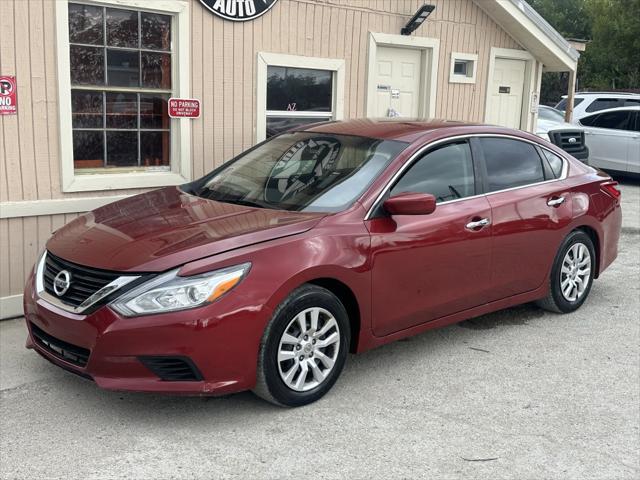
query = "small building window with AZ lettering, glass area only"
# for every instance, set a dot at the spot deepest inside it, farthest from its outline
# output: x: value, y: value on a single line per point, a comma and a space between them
x: 297, y: 97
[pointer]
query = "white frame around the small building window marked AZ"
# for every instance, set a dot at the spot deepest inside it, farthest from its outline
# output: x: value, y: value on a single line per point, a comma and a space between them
x: 265, y: 60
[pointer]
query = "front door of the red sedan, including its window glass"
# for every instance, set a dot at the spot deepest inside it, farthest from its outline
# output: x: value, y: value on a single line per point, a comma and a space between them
x: 428, y: 266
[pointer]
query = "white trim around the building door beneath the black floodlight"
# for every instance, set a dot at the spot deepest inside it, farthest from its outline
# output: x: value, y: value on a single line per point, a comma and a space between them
x: 430, y: 48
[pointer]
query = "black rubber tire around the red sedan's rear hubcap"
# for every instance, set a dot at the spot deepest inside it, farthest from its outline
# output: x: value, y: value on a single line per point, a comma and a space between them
x: 555, y: 301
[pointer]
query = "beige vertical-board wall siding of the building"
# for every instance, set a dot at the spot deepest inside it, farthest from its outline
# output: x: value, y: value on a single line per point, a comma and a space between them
x: 223, y: 60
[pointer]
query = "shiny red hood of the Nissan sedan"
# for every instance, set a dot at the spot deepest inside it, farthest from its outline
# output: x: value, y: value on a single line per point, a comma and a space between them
x: 166, y: 228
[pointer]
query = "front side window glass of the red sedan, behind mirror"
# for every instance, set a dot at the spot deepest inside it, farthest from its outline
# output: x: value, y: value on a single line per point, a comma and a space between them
x: 446, y: 173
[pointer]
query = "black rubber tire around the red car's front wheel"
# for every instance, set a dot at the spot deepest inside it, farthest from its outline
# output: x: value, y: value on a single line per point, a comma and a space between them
x: 270, y: 386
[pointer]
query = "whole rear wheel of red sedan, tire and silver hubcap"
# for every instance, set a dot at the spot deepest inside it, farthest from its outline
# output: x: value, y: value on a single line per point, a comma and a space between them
x: 572, y: 274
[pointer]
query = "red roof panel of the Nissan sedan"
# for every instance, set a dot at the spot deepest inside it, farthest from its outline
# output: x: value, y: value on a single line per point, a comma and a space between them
x: 398, y: 128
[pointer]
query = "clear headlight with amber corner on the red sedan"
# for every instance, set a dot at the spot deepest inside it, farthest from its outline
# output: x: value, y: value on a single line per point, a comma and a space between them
x: 169, y: 292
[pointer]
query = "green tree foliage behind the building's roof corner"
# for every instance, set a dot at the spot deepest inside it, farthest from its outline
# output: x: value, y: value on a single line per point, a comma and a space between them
x: 612, y: 58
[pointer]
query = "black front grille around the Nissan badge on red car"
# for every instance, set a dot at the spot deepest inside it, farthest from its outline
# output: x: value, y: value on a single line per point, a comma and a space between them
x: 85, y: 281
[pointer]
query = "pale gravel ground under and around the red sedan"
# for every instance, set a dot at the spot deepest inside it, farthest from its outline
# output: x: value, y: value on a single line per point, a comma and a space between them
x: 520, y: 394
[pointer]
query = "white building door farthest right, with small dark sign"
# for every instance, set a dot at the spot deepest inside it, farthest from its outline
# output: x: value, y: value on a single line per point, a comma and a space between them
x: 505, y: 93
